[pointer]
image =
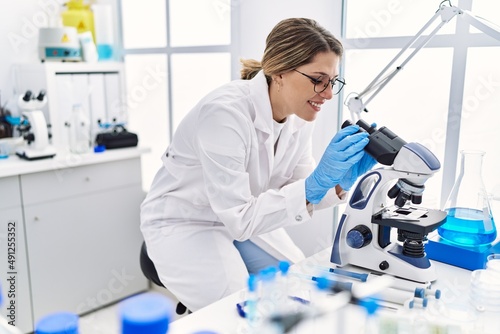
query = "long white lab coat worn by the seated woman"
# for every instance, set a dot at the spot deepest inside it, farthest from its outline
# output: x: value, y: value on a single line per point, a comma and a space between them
x: 222, y: 180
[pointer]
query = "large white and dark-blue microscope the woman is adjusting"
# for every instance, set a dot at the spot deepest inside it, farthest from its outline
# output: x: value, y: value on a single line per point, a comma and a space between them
x: 389, y: 238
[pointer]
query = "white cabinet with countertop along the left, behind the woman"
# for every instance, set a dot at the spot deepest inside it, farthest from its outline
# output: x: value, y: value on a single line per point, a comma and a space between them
x: 69, y: 233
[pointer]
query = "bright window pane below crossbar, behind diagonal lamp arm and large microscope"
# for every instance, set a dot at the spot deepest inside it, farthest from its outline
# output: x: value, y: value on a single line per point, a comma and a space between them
x: 413, y: 105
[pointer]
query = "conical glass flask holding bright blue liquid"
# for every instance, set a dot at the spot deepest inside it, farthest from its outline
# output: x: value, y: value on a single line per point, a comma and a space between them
x: 469, y: 221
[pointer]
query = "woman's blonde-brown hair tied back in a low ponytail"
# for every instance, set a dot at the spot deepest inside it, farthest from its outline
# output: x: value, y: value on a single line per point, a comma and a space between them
x: 292, y: 42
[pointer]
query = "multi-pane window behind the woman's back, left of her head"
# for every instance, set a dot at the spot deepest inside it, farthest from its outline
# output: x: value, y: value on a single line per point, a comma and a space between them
x: 171, y: 61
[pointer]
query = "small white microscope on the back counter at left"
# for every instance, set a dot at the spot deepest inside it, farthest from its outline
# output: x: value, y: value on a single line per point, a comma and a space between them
x: 34, y: 128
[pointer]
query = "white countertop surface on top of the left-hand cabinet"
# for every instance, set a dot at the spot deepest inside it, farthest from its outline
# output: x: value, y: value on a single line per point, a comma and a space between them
x: 14, y: 165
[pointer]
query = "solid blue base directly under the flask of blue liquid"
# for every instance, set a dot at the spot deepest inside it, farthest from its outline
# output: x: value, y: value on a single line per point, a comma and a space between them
x: 471, y: 258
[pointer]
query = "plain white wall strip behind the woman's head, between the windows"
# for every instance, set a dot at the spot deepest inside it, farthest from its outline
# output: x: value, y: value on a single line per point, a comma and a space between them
x: 257, y: 18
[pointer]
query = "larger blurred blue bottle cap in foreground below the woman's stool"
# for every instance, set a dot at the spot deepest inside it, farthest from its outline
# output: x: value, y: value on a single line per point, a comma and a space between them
x: 149, y: 313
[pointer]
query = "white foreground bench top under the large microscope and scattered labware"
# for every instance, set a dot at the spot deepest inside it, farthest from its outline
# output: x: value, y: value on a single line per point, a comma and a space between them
x: 452, y: 312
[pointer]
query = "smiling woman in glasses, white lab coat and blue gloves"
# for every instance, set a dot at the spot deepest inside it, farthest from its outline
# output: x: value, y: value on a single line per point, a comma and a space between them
x: 240, y: 168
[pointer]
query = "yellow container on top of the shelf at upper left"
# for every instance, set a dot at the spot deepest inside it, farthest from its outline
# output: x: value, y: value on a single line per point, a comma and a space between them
x: 79, y: 15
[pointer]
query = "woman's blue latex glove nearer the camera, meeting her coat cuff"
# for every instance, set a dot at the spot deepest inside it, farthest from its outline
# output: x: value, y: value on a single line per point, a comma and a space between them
x: 344, y: 151
